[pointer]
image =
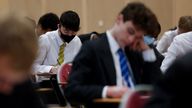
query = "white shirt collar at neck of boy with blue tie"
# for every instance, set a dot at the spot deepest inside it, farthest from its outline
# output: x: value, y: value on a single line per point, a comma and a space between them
x: 112, y: 42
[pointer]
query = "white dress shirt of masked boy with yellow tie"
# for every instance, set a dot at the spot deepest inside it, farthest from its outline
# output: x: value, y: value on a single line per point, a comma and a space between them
x: 49, y: 45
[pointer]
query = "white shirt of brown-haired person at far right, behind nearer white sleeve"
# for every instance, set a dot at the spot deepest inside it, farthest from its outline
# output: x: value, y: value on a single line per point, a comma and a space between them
x: 166, y: 40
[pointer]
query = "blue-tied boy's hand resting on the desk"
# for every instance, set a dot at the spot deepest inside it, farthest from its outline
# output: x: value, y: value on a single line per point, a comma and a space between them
x: 116, y: 92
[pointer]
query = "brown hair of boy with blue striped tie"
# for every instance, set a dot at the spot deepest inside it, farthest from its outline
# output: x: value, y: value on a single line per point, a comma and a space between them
x: 141, y: 16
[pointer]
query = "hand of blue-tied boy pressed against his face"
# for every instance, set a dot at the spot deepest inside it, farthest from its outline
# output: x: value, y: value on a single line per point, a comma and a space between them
x: 139, y: 45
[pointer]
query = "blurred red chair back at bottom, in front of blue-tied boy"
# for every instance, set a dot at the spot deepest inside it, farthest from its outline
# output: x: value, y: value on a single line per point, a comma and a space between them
x: 136, y: 98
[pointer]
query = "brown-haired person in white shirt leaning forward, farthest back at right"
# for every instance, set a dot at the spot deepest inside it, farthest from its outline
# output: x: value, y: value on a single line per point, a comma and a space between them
x: 167, y: 38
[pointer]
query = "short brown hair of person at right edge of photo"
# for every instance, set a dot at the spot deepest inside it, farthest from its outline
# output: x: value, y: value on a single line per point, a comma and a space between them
x: 185, y: 23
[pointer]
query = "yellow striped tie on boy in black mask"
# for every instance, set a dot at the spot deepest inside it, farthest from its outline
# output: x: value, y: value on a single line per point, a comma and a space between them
x: 60, y: 59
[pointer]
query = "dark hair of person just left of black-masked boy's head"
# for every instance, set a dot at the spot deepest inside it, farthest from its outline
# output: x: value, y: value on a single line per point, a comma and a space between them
x: 49, y: 21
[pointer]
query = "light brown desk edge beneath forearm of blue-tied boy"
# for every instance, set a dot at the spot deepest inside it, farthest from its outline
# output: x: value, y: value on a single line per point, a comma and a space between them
x: 108, y: 100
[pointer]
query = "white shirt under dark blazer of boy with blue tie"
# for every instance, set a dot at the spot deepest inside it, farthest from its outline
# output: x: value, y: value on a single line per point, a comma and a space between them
x: 148, y: 55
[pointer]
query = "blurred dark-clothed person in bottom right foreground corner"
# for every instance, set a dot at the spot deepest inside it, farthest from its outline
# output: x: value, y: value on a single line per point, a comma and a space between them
x: 174, y: 89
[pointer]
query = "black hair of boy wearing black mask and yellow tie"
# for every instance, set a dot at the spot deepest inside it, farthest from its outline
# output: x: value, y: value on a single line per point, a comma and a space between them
x: 70, y: 20
